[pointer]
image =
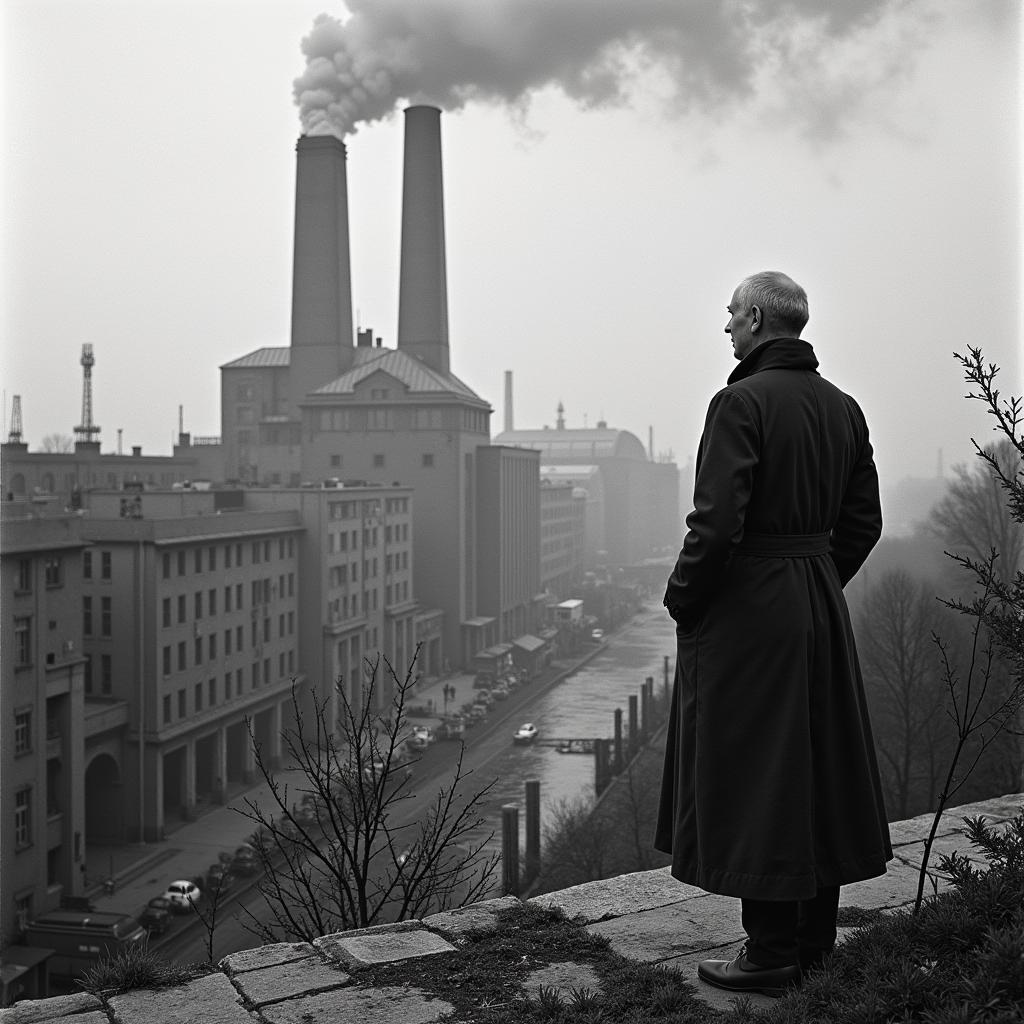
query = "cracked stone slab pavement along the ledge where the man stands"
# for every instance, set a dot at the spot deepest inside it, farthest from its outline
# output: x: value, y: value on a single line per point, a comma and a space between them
x: 648, y: 917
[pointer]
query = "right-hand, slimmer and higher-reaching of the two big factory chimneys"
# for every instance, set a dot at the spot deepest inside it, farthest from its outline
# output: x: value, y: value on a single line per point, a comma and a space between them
x: 423, y: 282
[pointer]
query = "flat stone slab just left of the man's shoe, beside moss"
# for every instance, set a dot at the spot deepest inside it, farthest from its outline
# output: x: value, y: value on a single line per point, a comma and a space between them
x: 700, y: 924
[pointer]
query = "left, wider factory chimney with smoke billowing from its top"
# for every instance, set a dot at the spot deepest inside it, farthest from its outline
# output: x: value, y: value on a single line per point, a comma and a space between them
x: 322, y: 287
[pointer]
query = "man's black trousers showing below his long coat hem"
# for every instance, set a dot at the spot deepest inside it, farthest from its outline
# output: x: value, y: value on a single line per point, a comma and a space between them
x: 786, y: 932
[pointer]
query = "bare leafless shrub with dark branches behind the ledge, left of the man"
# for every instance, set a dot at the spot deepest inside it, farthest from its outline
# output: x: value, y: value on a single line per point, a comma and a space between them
x: 359, y: 847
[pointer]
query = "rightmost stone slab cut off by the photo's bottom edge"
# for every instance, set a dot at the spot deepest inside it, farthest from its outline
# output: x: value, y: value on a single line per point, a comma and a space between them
x: 368, y: 1006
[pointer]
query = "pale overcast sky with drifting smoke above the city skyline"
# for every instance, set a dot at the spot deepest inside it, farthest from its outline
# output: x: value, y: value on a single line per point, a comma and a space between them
x: 612, y: 172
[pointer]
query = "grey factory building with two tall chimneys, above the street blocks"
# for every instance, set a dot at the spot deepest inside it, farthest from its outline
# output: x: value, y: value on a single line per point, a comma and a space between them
x: 327, y: 409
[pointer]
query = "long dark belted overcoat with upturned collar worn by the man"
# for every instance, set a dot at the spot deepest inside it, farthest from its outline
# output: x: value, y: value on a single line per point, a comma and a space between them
x: 772, y: 787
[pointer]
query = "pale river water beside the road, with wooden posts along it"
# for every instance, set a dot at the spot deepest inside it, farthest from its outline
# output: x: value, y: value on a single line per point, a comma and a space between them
x: 581, y: 706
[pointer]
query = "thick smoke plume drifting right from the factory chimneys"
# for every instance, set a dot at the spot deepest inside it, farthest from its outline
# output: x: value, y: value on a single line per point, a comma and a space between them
x: 713, y: 53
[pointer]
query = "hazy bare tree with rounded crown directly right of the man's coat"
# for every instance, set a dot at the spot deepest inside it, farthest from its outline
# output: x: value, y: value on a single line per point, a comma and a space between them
x: 904, y: 681
